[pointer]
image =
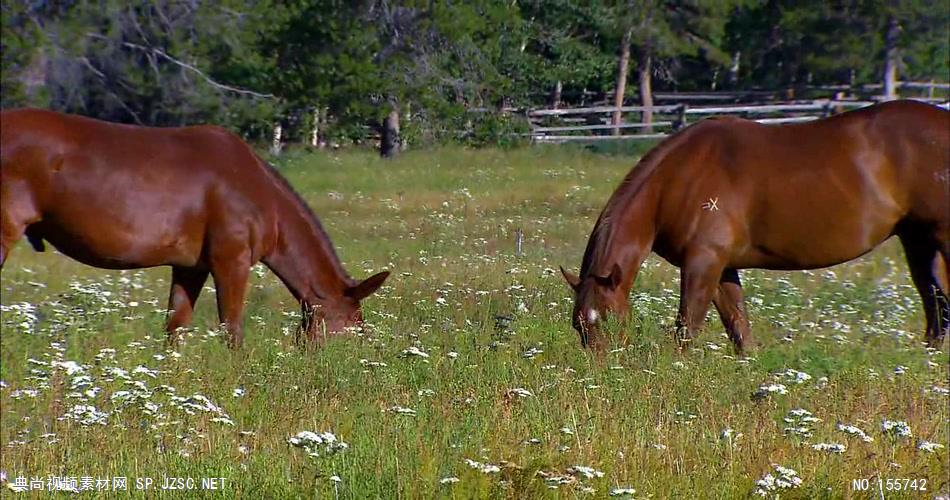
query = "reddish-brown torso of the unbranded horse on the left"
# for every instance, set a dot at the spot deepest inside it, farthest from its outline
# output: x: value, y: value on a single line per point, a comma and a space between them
x: 120, y: 196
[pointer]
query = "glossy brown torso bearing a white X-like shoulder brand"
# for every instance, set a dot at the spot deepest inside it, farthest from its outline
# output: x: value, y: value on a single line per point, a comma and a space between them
x: 763, y: 193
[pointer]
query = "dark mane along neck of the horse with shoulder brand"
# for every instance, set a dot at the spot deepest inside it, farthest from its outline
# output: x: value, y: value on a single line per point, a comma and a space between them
x: 630, y: 186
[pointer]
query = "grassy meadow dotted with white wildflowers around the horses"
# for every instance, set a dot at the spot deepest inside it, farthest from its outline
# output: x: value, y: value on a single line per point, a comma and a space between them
x: 468, y: 380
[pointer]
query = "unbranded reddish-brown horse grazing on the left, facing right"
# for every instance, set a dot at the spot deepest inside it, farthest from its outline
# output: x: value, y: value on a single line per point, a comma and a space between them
x: 194, y: 198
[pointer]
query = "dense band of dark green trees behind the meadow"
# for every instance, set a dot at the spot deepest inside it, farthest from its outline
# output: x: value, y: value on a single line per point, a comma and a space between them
x: 247, y: 64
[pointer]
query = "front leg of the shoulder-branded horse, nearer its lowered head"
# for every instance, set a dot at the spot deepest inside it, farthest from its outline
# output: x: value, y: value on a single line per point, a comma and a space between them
x: 699, y: 282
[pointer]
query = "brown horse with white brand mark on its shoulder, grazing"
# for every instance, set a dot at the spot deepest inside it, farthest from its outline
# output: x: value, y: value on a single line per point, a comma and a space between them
x: 728, y: 194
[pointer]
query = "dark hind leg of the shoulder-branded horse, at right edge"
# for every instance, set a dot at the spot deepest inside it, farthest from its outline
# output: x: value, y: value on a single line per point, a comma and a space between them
x: 928, y: 263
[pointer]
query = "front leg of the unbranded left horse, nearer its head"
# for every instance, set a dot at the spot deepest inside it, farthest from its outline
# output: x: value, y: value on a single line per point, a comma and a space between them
x: 230, y: 281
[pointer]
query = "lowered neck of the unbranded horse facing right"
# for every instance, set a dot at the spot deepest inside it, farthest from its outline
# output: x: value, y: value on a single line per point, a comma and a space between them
x: 304, y: 258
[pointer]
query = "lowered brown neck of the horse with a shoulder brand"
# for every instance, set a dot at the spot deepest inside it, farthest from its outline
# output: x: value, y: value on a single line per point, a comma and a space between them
x: 624, y: 234
